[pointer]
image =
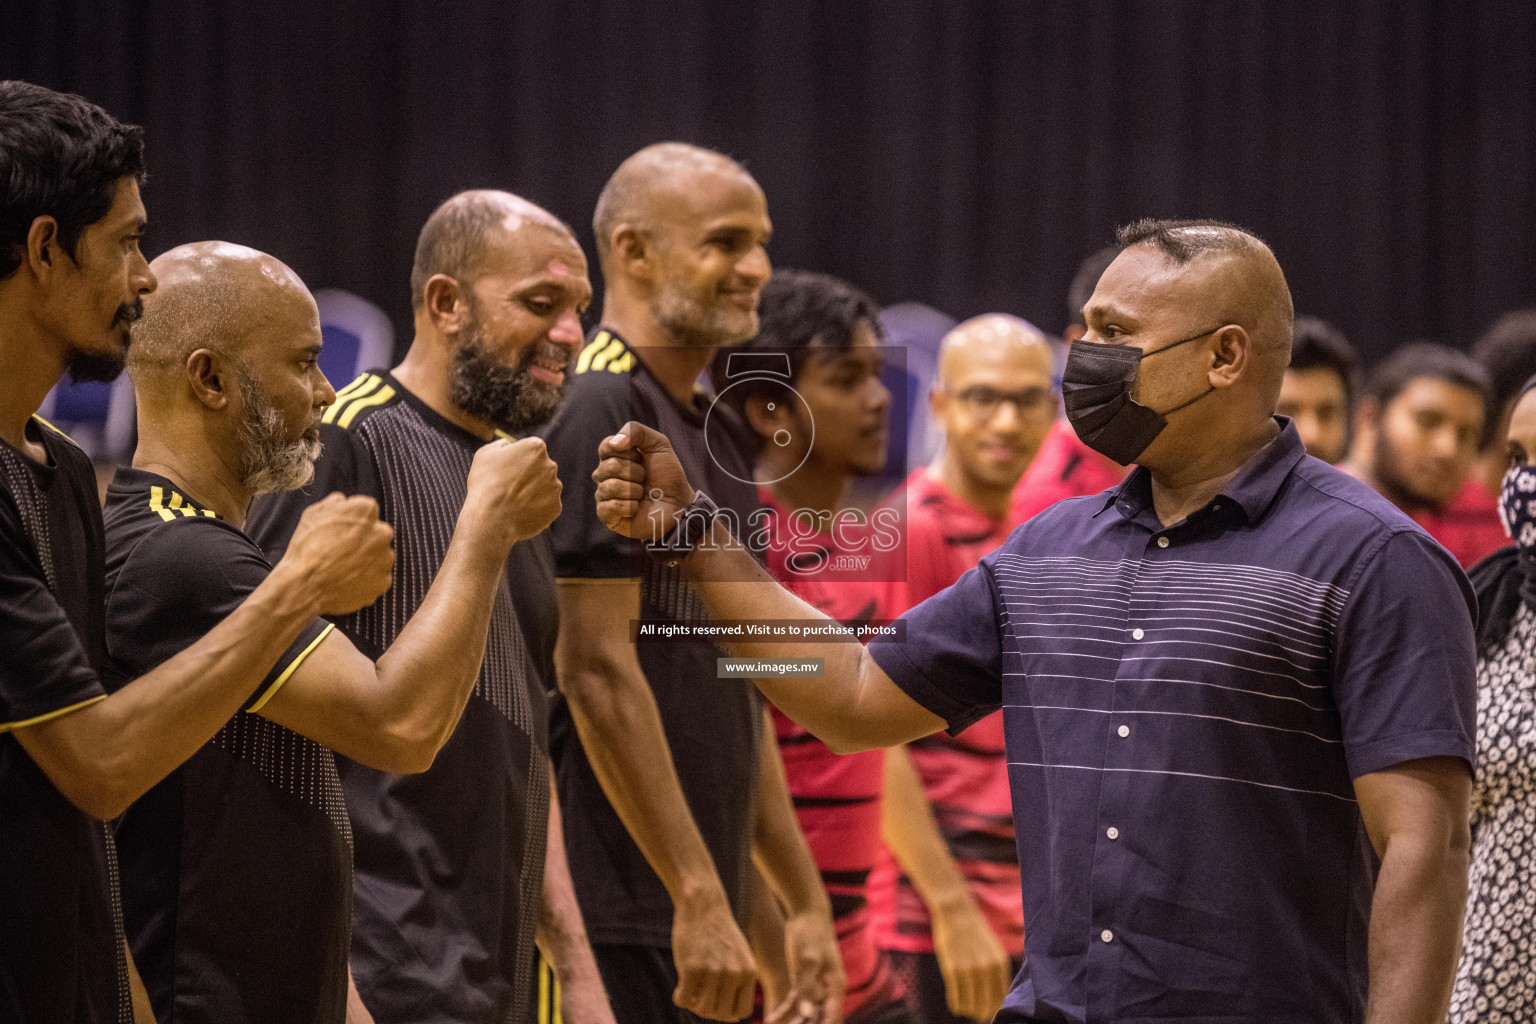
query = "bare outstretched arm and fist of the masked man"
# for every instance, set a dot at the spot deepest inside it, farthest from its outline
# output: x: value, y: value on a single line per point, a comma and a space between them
x: 856, y: 707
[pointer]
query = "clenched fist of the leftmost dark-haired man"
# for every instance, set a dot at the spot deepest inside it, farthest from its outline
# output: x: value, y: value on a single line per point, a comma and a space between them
x: 345, y: 552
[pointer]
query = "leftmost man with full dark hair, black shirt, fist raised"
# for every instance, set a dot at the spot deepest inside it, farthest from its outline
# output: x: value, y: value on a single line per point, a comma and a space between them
x: 71, y: 283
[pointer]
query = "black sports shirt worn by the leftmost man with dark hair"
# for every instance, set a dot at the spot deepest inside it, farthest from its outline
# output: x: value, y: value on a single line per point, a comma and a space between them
x: 61, y: 948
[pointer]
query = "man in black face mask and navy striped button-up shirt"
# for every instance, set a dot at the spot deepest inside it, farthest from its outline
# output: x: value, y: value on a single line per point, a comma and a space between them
x: 1237, y: 690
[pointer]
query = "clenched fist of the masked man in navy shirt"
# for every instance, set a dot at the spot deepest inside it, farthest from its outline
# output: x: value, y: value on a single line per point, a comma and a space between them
x: 641, y: 486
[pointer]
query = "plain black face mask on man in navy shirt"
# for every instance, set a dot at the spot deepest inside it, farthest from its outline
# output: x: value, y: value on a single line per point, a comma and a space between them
x: 1096, y: 392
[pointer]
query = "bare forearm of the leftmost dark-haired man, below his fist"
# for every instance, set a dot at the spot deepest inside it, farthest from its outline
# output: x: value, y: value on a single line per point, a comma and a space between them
x: 118, y: 748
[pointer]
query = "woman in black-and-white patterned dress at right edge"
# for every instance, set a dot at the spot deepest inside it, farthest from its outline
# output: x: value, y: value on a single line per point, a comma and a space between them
x: 1497, y: 979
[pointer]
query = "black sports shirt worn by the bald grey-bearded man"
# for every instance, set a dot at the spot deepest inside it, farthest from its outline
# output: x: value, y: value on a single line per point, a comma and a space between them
x: 237, y: 867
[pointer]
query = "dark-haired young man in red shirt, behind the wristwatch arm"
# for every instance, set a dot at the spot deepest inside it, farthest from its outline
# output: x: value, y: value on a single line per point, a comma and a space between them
x: 818, y: 417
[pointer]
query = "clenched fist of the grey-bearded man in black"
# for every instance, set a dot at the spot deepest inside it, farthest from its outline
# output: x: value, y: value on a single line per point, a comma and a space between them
x: 514, y: 489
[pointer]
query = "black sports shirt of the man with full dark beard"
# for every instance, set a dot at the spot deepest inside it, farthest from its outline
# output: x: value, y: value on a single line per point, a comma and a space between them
x: 451, y: 862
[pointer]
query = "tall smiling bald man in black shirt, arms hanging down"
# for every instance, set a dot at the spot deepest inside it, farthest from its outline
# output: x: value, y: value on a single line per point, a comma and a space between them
x: 669, y: 788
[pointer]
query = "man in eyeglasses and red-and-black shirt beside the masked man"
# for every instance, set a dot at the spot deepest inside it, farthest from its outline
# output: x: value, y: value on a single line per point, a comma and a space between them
x: 947, y: 907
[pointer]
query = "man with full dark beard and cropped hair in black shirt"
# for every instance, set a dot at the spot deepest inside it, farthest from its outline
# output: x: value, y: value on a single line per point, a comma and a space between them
x: 458, y: 870
